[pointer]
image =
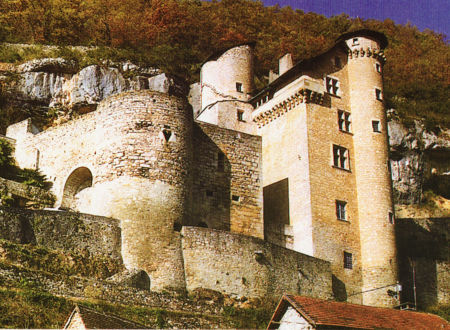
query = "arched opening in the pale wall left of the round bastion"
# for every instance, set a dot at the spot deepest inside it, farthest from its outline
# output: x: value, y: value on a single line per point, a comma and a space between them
x: 79, y: 179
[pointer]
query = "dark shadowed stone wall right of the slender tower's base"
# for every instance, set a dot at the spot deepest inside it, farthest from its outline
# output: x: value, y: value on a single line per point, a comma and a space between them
x: 423, y: 248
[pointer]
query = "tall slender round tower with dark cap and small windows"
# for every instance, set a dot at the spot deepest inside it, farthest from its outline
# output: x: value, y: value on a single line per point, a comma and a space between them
x: 373, y: 179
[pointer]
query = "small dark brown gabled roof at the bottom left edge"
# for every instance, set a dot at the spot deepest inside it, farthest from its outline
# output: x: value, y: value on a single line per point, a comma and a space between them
x: 93, y: 319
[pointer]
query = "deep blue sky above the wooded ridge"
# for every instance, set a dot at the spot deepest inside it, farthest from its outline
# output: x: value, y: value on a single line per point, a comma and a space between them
x: 431, y: 14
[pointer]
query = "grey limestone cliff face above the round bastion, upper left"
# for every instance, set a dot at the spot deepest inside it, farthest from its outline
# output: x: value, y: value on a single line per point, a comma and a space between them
x: 58, y: 83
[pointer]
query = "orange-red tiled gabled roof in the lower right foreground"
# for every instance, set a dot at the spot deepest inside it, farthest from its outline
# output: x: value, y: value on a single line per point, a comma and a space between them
x: 324, y: 313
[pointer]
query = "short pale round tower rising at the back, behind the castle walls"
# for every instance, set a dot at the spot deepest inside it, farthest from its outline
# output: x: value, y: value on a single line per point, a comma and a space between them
x: 228, y: 75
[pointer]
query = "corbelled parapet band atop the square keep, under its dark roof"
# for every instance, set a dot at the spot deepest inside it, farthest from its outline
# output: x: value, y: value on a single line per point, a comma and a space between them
x: 303, y: 95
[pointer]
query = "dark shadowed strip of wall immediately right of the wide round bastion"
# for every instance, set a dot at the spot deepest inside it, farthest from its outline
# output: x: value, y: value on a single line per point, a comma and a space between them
x: 211, y: 184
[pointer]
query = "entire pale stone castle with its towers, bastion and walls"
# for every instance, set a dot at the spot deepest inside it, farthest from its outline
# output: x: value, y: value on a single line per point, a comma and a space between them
x: 292, y: 182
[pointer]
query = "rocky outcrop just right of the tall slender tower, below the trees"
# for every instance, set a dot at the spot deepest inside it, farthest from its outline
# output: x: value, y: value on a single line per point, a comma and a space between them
x: 420, y: 160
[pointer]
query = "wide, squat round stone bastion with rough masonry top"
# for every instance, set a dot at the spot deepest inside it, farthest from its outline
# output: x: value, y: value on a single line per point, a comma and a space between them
x: 143, y: 178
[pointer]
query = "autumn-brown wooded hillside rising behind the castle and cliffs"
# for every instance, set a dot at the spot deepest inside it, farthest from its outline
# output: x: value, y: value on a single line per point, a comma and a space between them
x: 178, y: 35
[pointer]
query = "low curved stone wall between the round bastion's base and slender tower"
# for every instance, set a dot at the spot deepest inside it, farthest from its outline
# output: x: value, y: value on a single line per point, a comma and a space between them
x: 247, y: 266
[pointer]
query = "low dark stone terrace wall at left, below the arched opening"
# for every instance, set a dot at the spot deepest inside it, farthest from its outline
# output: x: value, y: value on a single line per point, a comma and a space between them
x: 65, y: 231
